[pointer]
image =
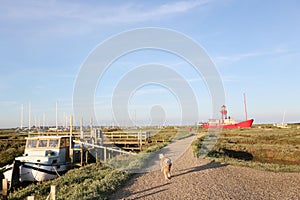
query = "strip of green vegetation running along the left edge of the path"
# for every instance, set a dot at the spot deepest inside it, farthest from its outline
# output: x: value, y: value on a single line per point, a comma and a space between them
x: 97, y: 181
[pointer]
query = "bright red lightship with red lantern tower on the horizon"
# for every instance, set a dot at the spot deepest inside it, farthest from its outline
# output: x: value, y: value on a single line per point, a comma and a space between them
x: 227, y: 122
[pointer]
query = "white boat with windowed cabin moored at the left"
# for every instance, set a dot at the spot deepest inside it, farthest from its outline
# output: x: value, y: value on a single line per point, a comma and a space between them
x: 45, y: 158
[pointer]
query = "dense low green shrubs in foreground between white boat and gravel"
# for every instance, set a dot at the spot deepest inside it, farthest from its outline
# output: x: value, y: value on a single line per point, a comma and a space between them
x: 90, y: 182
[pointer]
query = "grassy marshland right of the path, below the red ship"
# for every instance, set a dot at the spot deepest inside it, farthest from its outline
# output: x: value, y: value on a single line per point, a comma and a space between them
x: 272, y: 149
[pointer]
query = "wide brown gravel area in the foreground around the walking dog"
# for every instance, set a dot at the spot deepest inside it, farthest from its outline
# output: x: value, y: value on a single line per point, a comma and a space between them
x: 196, y: 178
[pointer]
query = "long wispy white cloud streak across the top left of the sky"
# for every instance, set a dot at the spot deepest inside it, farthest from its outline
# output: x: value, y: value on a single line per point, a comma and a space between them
x: 61, y: 15
